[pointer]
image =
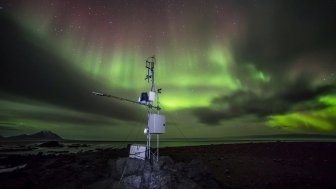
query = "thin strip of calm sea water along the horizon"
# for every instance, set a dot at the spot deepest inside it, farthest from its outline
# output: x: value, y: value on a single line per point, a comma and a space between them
x: 71, y: 146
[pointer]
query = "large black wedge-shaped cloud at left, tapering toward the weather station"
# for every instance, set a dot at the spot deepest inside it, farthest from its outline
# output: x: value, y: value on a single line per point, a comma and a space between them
x: 33, y: 72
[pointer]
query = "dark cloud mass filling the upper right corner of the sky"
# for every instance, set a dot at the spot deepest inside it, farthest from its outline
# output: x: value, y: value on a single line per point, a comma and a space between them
x: 277, y: 32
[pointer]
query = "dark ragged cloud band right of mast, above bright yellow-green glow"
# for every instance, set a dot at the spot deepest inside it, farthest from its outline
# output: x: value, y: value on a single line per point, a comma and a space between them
x: 298, y: 95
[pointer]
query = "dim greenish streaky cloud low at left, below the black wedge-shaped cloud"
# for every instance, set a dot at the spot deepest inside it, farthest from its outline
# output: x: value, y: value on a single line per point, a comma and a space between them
x: 22, y: 112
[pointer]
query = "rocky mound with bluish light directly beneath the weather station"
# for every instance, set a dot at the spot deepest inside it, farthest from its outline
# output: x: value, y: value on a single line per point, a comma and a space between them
x: 129, y: 173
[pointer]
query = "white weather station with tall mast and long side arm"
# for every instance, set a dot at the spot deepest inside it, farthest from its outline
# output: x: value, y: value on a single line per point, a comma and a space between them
x: 156, y: 124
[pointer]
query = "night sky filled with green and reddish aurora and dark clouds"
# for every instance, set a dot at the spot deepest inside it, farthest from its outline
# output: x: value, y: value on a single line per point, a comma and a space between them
x: 226, y: 68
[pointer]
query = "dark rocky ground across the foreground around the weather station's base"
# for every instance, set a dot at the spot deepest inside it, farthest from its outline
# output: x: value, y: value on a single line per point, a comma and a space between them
x: 253, y: 165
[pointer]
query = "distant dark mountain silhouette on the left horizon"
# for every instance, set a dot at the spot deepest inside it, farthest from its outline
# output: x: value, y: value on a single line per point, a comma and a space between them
x: 42, y: 135
